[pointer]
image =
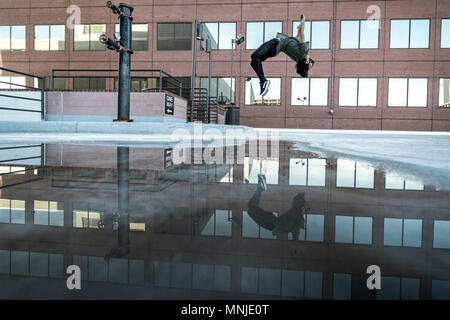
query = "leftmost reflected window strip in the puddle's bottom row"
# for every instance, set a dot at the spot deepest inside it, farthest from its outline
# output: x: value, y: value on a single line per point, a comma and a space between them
x: 35, y: 264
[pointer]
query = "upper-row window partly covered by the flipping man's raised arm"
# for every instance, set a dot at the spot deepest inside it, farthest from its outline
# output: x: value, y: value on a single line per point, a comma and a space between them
x: 316, y: 32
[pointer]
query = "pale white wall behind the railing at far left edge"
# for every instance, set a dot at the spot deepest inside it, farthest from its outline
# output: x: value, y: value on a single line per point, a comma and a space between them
x: 12, y: 115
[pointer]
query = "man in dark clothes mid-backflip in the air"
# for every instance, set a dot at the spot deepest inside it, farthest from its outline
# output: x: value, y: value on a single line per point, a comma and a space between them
x: 295, y: 47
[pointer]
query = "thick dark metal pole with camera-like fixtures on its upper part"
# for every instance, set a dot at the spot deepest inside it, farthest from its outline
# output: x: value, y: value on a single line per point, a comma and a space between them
x: 122, y: 45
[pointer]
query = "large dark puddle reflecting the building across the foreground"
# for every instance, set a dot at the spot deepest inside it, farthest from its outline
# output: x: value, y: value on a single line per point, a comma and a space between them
x: 142, y: 227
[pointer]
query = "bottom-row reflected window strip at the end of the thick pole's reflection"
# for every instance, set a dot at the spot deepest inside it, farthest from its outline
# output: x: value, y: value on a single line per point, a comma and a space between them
x: 116, y: 270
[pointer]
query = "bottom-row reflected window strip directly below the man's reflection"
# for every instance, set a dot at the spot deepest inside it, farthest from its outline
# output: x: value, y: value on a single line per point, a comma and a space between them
x: 289, y: 283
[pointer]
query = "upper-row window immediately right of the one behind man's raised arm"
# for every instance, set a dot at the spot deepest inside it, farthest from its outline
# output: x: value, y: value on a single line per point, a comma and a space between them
x: 360, y: 34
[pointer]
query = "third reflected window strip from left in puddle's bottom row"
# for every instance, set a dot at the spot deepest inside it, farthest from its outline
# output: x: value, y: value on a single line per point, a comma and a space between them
x: 192, y: 276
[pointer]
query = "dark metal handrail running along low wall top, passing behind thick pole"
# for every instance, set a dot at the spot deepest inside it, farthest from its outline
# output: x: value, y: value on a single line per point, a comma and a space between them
x: 161, y: 75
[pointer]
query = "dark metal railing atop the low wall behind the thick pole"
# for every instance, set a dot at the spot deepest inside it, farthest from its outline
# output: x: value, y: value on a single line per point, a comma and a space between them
x: 160, y: 76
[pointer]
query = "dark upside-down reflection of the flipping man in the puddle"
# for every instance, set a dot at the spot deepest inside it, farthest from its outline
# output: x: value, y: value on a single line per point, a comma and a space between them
x: 290, y: 221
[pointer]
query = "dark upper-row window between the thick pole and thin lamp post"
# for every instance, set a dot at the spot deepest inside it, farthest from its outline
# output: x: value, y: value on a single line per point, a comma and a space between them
x: 174, y: 36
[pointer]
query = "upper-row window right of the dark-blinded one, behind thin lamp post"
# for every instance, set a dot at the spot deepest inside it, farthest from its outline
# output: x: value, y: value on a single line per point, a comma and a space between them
x: 220, y: 34
